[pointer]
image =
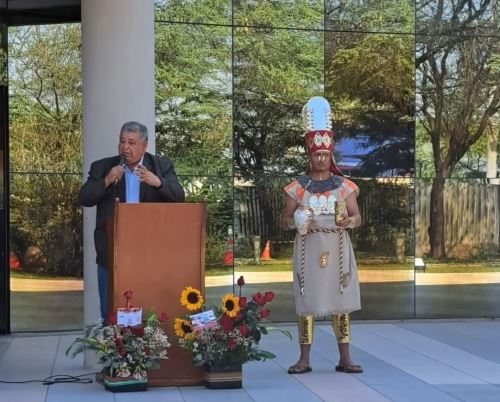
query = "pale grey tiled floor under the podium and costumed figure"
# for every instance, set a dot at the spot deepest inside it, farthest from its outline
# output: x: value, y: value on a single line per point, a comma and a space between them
x: 404, y: 361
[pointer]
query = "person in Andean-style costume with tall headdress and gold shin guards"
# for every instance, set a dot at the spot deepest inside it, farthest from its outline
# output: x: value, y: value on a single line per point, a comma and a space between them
x: 322, y: 205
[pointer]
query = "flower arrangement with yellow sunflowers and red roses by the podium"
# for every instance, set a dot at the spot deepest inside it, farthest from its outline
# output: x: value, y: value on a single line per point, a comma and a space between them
x: 227, y: 335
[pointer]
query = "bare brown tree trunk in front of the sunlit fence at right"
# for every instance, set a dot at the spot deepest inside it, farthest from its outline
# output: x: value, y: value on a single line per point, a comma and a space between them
x: 436, y: 225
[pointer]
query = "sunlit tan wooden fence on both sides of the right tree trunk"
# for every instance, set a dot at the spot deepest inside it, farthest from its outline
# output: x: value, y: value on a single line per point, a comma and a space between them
x: 472, y: 218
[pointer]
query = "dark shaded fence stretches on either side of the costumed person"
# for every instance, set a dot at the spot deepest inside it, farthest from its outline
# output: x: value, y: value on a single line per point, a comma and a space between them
x: 386, y: 207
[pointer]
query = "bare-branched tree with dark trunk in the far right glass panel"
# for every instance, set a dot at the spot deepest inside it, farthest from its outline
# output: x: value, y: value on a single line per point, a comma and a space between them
x: 459, y: 90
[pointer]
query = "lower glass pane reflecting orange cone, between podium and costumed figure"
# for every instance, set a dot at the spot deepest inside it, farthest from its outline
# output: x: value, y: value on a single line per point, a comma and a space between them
x: 263, y: 250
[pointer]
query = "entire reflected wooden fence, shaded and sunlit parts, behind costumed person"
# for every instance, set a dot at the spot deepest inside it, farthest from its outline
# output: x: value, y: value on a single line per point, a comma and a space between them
x: 472, y: 221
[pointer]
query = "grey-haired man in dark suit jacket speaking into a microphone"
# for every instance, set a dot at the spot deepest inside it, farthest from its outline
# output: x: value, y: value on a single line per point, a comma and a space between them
x: 133, y: 175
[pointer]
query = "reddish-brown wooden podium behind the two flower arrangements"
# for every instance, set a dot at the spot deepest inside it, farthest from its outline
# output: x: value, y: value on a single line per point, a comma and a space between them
x: 157, y: 249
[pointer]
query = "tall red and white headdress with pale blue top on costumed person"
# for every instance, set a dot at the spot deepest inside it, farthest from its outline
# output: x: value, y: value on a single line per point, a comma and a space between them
x: 317, y: 123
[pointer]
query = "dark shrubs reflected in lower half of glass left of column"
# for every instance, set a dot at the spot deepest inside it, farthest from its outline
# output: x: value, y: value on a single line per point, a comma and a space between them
x: 45, y: 214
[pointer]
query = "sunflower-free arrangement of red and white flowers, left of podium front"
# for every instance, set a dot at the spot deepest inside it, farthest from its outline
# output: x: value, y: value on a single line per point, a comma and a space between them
x: 126, y: 351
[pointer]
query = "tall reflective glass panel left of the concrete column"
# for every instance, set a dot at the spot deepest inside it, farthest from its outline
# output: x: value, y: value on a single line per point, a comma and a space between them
x: 45, y: 164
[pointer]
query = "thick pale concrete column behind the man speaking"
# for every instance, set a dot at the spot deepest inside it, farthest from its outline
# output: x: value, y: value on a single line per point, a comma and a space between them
x: 118, y: 86
